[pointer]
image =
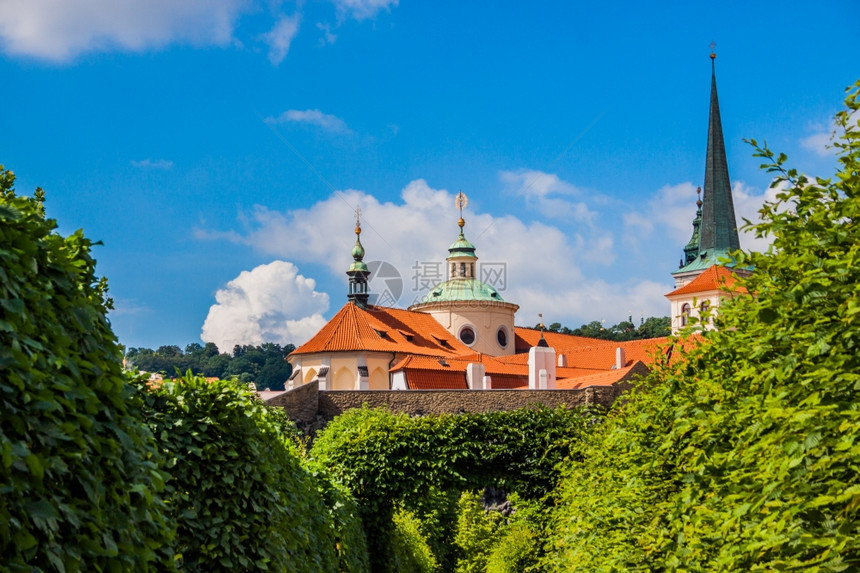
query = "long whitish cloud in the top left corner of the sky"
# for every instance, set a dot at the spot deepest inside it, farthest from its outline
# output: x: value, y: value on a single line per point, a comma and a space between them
x: 59, y: 30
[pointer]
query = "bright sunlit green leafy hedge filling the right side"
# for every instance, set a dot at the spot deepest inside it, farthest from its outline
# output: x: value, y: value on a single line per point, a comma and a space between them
x: 744, y: 456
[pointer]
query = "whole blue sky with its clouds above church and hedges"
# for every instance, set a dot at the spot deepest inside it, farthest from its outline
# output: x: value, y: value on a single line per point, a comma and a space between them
x: 217, y: 148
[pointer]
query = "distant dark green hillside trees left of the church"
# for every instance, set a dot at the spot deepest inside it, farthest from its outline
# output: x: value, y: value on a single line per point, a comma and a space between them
x: 265, y: 365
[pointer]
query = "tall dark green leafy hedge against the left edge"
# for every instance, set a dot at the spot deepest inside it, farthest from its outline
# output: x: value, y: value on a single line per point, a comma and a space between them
x: 78, y: 478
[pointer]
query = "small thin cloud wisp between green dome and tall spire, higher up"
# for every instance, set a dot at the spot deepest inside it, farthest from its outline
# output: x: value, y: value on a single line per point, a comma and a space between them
x: 548, y: 194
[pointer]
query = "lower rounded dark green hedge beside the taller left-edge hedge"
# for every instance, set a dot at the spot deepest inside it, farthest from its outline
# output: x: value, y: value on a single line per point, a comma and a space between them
x: 237, y: 492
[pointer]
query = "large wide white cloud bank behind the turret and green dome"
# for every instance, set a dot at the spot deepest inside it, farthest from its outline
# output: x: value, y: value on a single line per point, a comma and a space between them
x: 547, y: 270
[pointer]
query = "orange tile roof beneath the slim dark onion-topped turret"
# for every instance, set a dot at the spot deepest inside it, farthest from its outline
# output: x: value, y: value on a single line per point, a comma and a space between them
x: 383, y: 330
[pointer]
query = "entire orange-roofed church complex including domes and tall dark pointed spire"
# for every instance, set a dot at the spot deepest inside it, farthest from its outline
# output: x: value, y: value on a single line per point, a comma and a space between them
x: 462, y: 334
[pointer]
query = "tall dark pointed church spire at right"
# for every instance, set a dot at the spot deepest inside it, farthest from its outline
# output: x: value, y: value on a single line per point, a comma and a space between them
x: 719, y: 232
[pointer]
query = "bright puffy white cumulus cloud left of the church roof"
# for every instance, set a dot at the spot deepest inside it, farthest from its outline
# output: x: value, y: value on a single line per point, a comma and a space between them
x: 270, y: 303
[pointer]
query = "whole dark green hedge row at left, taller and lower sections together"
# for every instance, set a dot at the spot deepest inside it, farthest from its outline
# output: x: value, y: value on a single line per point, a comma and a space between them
x: 99, y: 472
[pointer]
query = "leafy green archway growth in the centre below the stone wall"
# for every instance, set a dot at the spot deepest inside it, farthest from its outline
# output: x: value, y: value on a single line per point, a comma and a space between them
x: 385, y: 459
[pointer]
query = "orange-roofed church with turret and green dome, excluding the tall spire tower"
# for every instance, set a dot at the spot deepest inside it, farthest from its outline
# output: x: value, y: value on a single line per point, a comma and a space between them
x: 461, y: 335
